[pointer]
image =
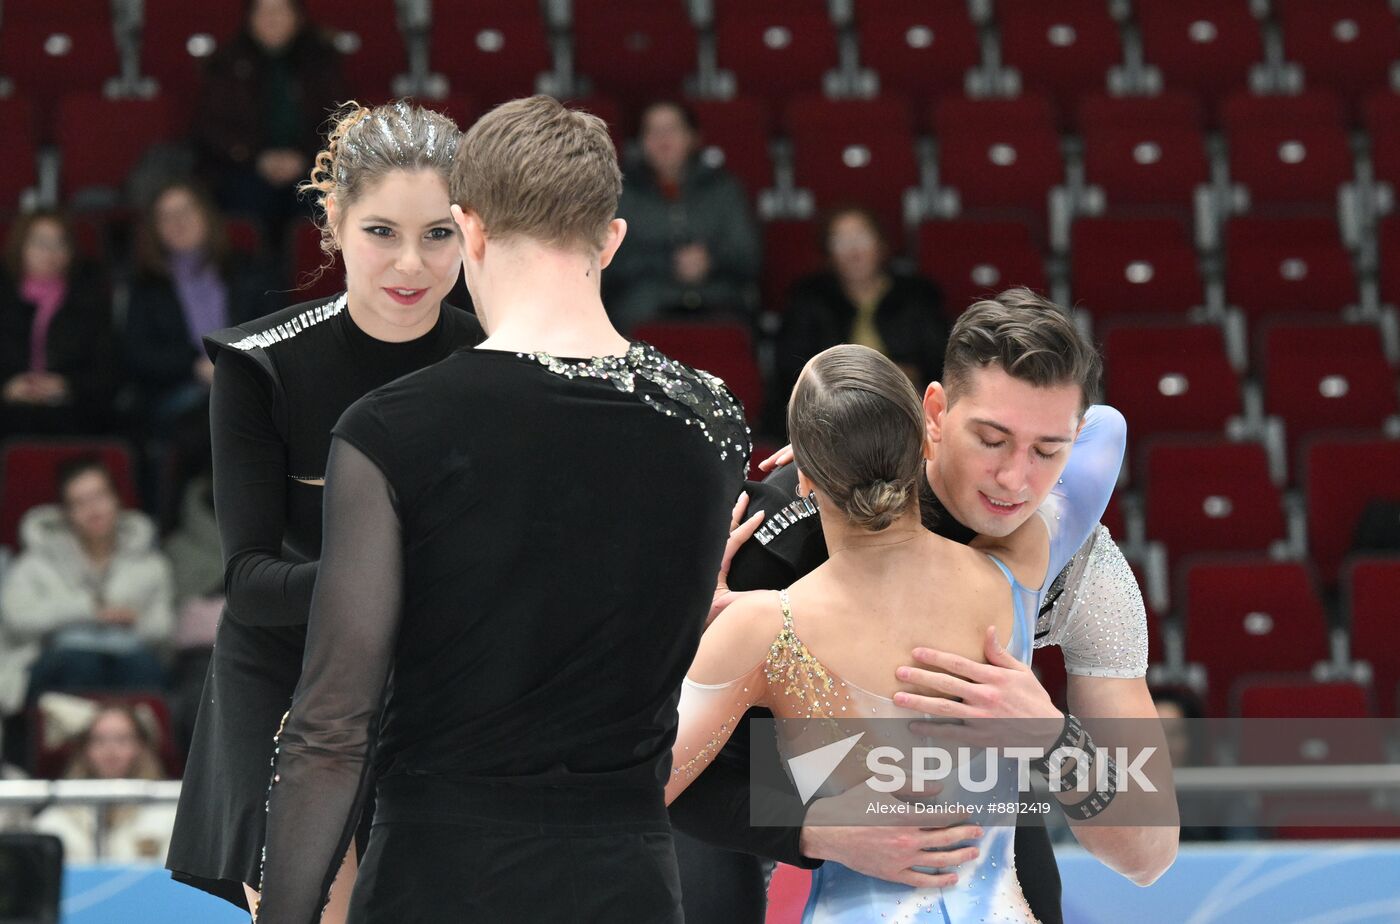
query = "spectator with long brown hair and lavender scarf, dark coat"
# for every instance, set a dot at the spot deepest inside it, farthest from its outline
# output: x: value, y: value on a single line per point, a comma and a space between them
x: 188, y: 283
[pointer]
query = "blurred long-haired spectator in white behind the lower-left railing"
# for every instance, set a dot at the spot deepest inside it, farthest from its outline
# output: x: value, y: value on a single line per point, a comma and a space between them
x: 120, y: 744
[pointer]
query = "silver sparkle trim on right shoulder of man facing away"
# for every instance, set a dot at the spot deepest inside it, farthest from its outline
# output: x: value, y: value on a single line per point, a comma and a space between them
x: 694, y: 395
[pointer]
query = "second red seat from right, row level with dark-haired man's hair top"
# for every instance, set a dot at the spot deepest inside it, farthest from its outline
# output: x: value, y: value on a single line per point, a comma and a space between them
x: 1287, y: 267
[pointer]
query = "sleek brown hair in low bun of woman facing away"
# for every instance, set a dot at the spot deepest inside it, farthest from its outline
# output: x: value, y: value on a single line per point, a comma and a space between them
x: 857, y: 433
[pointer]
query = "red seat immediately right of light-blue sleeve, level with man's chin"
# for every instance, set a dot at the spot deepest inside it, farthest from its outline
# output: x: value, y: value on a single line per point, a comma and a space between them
x: 1212, y: 496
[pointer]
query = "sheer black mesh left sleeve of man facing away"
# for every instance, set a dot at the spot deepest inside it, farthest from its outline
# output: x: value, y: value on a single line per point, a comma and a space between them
x: 321, y: 771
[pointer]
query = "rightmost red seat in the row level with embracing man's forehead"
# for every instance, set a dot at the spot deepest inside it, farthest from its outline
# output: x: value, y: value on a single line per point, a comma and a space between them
x: 1326, y: 377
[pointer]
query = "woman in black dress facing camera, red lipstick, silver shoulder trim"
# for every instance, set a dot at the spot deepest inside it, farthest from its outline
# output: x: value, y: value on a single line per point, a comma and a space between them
x: 279, y: 387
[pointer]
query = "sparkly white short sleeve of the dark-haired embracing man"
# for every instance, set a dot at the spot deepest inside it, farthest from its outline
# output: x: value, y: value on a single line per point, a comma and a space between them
x: 1098, y: 618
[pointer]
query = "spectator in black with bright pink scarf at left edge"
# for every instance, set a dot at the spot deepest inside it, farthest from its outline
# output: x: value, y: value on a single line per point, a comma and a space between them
x: 58, y: 360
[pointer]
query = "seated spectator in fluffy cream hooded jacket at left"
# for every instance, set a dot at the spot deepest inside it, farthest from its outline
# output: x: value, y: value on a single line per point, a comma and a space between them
x: 89, y: 598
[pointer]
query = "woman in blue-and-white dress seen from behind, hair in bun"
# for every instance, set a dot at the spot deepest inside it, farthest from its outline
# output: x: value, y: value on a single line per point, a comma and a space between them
x: 829, y: 646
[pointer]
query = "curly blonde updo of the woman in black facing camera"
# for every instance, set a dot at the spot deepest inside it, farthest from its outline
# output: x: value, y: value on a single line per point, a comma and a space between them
x: 369, y: 143
